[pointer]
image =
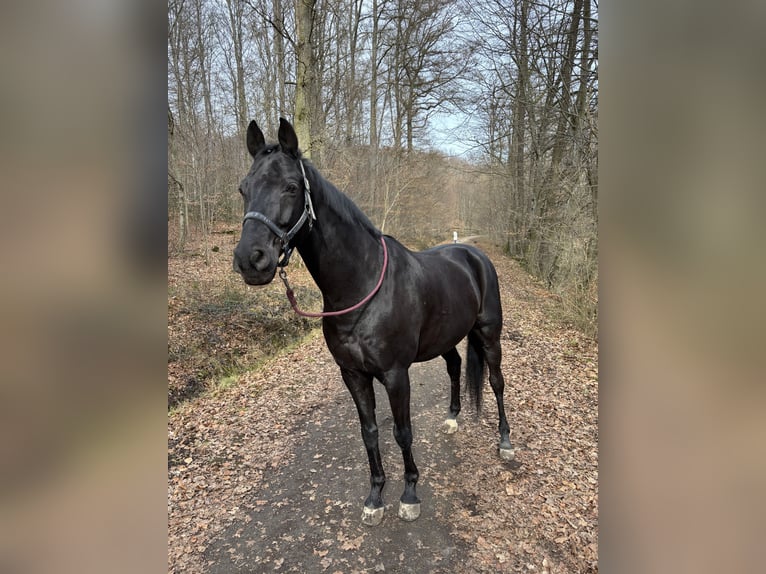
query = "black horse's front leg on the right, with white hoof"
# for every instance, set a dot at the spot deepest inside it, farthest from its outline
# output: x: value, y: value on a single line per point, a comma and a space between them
x: 397, y: 383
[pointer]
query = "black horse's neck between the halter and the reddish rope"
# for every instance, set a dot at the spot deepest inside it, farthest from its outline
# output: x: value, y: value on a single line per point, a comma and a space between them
x: 344, y: 256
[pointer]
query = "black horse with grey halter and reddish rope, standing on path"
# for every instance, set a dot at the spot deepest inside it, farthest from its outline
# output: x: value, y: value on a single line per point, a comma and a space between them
x: 385, y: 306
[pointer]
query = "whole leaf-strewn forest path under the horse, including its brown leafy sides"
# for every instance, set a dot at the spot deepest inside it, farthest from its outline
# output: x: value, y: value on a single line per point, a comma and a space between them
x: 270, y: 474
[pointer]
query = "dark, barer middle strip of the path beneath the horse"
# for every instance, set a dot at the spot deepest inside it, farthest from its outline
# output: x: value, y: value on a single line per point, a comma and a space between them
x: 309, y: 518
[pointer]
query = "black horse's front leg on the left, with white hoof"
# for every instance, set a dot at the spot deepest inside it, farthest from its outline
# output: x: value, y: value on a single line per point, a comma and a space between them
x: 360, y: 386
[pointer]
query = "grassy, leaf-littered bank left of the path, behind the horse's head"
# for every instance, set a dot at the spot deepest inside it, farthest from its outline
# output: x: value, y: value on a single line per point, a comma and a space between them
x: 219, y: 327
